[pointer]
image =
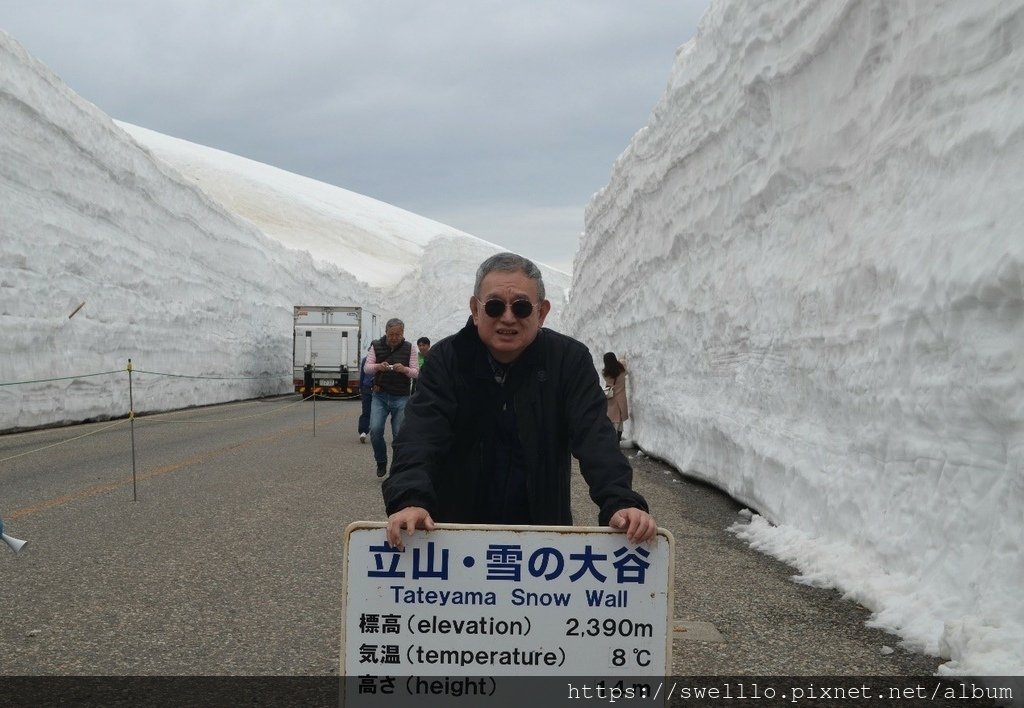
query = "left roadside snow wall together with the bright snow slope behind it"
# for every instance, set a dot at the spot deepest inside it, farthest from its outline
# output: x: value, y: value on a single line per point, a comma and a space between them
x: 189, y: 262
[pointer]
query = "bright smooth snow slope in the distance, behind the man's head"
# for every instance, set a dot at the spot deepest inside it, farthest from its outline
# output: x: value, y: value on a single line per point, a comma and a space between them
x: 419, y: 269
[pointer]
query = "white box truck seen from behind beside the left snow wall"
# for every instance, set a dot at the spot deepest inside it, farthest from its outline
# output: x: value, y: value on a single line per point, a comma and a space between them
x: 329, y: 344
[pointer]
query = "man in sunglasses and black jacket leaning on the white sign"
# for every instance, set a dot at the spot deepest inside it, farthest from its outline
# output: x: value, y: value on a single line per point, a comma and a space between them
x: 488, y: 437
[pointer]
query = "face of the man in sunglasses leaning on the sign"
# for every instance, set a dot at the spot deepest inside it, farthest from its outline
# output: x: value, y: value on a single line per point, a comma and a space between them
x: 506, y: 337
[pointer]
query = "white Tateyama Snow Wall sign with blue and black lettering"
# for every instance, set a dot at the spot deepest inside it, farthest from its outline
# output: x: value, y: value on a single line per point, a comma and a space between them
x: 480, y: 601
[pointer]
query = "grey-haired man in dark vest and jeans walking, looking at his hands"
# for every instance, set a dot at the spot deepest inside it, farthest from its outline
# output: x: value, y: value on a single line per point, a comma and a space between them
x: 394, y: 363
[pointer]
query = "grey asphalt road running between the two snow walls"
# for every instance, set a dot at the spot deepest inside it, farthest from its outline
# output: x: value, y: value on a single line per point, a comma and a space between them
x: 230, y: 562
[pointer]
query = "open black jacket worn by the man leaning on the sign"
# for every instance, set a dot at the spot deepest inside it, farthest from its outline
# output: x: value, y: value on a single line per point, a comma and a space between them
x: 560, y: 408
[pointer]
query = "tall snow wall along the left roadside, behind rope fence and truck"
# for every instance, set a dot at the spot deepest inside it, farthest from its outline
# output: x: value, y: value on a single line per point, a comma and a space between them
x: 169, y: 278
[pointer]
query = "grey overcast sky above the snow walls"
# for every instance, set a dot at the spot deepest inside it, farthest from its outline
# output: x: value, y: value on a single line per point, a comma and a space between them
x: 497, y: 118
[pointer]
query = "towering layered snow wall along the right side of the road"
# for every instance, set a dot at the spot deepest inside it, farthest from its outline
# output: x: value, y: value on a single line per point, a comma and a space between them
x: 813, y: 260
